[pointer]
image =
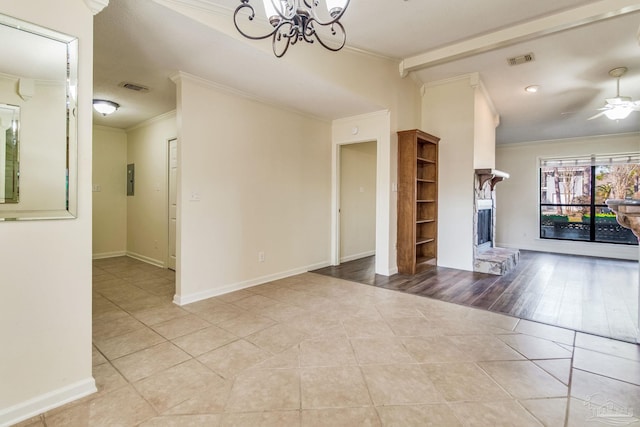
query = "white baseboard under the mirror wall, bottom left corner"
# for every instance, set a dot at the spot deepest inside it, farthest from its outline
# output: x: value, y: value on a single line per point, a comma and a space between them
x: 45, y: 402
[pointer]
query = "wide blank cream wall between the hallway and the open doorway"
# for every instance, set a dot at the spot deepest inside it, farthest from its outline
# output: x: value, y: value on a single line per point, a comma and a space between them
x: 262, y: 179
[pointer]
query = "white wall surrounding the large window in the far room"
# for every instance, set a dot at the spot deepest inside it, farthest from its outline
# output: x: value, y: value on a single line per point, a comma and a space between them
x: 517, y: 207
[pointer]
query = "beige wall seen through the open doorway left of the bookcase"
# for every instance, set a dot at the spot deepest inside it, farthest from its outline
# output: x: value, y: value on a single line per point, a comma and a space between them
x: 357, y: 200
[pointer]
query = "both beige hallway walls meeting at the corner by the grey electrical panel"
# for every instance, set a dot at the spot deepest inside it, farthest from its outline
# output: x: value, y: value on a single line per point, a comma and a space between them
x: 132, y: 225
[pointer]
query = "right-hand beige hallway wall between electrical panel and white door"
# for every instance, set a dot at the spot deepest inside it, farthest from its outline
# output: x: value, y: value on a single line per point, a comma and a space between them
x: 147, y: 209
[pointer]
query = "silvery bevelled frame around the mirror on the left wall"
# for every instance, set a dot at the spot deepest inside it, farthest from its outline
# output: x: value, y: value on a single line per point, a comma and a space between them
x: 71, y: 196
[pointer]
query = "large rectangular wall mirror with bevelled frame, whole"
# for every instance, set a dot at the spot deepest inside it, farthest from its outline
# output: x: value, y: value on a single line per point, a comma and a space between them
x: 38, y: 147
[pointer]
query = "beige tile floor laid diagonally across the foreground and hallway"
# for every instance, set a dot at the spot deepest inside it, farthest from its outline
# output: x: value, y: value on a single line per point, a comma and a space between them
x: 312, y: 350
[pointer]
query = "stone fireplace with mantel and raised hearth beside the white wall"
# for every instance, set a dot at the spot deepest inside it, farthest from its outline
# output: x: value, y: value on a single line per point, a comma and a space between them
x: 486, y: 257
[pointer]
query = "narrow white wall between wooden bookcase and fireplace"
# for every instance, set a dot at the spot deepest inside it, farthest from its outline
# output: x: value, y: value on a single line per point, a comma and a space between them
x: 448, y: 112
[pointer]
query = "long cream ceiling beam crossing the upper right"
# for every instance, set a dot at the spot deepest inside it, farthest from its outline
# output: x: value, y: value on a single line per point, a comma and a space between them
x: 593, y: 12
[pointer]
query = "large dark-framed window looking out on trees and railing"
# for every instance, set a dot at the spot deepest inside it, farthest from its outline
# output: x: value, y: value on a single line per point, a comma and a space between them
x: 573, y: 193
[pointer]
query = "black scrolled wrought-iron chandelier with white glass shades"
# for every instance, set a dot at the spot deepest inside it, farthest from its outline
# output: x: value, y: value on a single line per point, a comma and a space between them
x: 296, y: 20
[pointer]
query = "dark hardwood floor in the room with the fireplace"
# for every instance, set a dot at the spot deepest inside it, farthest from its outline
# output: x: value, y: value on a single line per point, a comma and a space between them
x: 593, y: 295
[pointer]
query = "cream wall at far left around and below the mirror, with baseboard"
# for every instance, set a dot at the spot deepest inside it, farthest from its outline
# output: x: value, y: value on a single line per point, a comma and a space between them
x: 45, y: 309
